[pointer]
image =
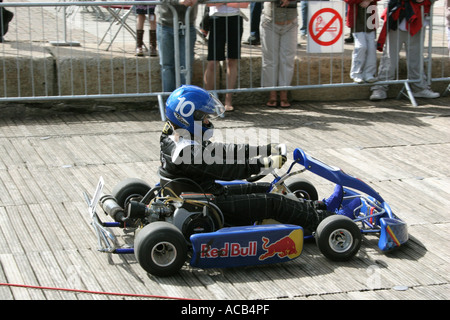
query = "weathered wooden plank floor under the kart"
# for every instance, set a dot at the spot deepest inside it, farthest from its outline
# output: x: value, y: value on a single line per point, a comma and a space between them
x: 47, y: 161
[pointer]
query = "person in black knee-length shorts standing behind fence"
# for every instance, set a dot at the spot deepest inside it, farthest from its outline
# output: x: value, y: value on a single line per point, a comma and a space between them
x: 226, y: 28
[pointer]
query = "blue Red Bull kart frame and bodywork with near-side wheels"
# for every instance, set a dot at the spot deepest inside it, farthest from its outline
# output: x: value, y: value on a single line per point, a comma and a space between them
x: 338, y: 238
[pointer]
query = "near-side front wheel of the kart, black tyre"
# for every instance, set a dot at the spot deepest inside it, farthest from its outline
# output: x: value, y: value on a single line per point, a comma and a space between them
x: 338, y: 238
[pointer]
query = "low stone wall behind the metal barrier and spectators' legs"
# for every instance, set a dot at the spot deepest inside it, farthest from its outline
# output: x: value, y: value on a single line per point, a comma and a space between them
x: 47, y: 71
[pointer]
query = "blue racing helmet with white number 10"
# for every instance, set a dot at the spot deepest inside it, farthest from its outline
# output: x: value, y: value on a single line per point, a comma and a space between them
x: 188, y: 106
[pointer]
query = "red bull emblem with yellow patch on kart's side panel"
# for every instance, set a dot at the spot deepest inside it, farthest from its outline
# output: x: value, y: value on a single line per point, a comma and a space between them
x: 289, y: 246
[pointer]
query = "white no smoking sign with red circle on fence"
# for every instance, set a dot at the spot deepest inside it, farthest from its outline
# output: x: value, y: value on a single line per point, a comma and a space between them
x: 325, y: 27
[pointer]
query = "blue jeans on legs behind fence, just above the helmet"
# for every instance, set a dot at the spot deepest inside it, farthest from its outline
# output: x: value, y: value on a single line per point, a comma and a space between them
x: 167, y: 54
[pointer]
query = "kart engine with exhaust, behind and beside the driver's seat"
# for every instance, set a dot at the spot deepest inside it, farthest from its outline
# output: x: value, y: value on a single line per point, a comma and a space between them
x: 190, y: 213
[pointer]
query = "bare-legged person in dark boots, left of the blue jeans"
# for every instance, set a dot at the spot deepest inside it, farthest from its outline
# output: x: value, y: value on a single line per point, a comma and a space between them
x: 142, y: 11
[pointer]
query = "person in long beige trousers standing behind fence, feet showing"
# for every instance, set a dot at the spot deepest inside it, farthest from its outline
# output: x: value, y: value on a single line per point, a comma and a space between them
x: 279, y: 30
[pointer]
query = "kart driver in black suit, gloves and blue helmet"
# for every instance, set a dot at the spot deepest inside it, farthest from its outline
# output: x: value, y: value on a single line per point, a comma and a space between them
x: 186, y: 151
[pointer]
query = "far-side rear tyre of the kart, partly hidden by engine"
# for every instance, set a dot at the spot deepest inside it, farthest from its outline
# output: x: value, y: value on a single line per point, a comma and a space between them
x: 130, y: 188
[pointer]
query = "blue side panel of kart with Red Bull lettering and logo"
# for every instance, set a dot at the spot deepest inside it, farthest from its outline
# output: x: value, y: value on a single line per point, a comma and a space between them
x: 250, y: 245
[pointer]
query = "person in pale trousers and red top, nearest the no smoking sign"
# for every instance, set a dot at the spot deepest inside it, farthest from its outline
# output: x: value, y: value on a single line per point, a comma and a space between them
x: 362, y: 19
